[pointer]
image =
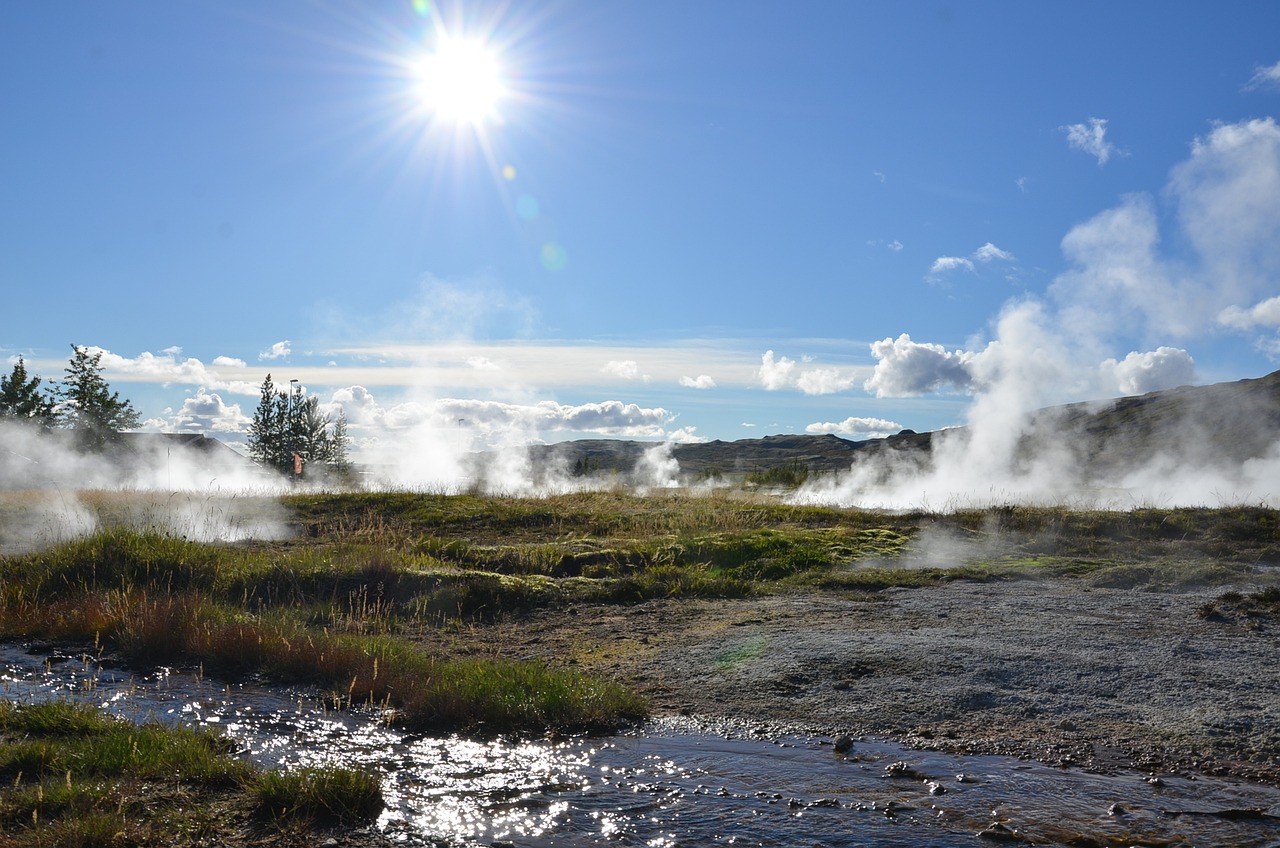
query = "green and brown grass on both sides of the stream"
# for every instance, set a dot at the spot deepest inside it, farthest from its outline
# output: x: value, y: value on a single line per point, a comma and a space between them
x: 355, y: 592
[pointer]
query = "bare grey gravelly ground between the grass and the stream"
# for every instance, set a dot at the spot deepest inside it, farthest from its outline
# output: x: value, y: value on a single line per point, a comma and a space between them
x: 1054, y: 671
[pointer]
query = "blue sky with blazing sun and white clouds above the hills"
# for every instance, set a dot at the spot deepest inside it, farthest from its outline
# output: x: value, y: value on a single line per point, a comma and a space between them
x: 520, y: 222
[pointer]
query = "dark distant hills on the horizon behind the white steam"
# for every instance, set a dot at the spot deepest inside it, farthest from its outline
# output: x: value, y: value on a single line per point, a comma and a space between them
x: 1232, y: 422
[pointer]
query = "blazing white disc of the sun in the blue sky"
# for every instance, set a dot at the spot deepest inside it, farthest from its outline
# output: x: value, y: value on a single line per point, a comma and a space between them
x: 461, y: 83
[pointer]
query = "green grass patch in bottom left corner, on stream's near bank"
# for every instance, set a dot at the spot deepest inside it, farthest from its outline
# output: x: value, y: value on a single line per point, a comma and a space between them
x: 72, y: 776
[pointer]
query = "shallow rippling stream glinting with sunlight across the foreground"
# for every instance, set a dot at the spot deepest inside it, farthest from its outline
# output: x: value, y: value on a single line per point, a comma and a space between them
x: 673, y: 783
